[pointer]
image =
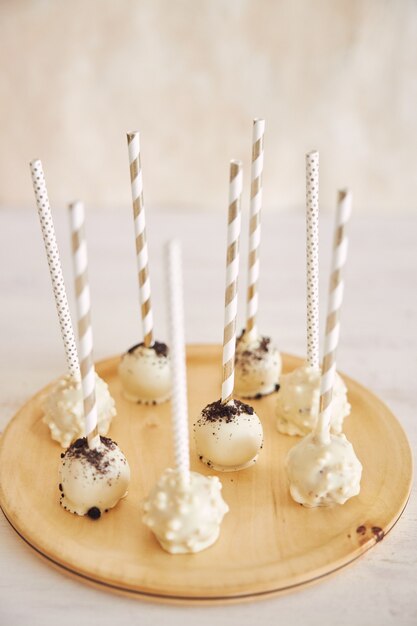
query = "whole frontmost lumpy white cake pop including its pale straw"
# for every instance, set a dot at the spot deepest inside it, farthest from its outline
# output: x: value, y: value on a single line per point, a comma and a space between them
x: 185, y: 509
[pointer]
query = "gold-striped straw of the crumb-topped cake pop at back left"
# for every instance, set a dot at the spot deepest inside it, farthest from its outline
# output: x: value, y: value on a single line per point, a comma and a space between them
x: 133, y: 143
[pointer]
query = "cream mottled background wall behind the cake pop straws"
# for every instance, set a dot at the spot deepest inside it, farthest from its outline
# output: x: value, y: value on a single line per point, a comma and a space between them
x: 338, y: 75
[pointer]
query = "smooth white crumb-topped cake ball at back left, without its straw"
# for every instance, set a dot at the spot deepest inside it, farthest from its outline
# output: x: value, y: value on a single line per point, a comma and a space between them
x: 145, y: 375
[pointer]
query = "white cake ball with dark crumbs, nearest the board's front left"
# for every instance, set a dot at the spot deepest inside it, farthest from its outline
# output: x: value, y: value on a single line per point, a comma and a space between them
x: 93, y: 478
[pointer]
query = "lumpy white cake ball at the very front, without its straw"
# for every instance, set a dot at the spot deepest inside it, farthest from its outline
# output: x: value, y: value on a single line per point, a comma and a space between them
x: 185, y: 516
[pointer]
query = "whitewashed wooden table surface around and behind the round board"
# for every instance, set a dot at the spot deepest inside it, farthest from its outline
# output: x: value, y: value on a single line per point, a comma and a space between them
x: 378, y: 348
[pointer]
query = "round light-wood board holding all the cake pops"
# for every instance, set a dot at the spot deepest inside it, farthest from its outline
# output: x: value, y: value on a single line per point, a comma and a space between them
x: 268, y: 544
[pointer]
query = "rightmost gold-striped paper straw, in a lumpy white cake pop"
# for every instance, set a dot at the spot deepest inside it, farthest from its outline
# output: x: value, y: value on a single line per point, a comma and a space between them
x: 336, y: 288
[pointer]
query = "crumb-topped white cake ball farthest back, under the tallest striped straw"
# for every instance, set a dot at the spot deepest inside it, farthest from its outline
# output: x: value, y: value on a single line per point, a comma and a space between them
x: 257, y: 366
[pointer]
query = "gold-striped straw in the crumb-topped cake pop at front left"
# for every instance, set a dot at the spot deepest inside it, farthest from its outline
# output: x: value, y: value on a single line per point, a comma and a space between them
x: 85, y: 333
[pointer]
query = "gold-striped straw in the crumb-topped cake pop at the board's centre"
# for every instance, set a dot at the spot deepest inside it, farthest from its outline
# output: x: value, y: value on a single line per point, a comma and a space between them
x: 232, y: 271
